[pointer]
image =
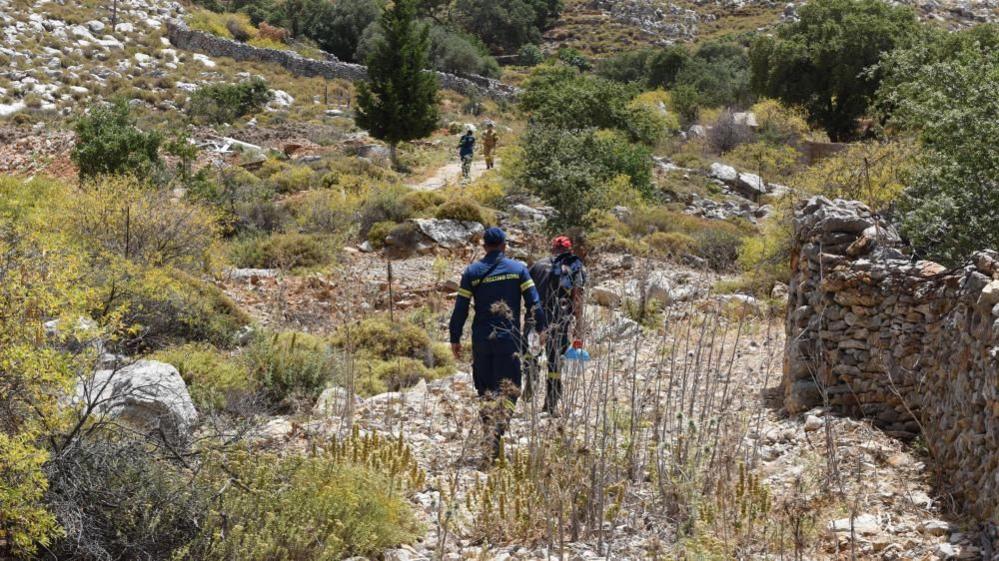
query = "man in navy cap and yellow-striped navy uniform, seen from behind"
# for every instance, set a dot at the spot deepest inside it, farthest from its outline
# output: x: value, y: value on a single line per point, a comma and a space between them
x: 497, y: 285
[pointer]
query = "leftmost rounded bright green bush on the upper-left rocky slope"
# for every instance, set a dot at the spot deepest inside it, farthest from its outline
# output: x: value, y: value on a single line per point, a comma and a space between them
x: 108, y: 142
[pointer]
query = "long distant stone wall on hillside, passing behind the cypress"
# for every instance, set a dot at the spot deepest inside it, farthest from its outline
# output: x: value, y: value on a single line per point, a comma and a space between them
x: 188, y: 39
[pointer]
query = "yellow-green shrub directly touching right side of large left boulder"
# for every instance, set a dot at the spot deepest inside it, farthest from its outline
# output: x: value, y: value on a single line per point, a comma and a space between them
x: 216, y: 380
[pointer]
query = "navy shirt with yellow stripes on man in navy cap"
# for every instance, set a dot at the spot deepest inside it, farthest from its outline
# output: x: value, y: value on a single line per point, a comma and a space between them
x: 497, y: 292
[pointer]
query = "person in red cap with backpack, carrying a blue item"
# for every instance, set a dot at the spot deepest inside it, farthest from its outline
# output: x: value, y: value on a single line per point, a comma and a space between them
x: 560, y: 280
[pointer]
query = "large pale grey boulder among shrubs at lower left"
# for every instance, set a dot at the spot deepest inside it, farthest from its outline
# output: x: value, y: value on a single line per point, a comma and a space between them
x: 148, y: 394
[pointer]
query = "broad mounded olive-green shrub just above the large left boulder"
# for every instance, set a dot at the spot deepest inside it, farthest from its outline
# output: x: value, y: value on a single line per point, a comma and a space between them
x: 163, y: 305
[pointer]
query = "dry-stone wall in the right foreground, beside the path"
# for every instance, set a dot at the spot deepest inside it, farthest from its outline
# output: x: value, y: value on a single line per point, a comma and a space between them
x: 913, y: 346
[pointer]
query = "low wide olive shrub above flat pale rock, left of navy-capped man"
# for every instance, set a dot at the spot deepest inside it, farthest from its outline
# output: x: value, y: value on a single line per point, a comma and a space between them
x: 283, y: 251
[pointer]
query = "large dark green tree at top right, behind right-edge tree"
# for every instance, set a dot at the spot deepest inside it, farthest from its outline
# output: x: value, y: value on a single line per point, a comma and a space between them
x: 819, y: 62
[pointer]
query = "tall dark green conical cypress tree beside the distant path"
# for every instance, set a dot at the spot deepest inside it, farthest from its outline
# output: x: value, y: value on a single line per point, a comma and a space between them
x: 399, y: 103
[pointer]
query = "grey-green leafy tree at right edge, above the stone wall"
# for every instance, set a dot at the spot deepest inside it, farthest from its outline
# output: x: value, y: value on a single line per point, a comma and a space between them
x: 944, y: 89
